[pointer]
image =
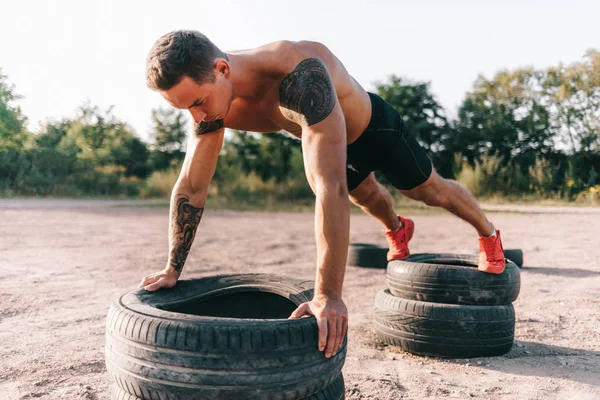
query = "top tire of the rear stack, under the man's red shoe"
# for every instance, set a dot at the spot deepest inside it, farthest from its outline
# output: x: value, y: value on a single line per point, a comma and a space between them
x: 452, y: 279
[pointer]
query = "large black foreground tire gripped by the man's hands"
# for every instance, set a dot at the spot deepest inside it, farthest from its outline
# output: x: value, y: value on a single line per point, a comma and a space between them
x: 163, y: 345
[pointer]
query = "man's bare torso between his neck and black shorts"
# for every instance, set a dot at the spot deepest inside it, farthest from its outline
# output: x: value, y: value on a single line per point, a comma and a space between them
x: 266, y: 67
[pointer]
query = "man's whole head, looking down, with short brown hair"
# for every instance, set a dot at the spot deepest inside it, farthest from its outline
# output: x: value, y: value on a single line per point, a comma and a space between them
x: 190, y: 72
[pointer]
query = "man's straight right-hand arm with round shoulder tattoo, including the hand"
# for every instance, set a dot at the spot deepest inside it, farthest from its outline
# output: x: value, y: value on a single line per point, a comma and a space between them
x: 308, y: 98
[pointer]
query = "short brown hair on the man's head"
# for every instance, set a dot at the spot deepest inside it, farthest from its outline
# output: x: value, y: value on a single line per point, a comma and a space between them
x: 180, y: 53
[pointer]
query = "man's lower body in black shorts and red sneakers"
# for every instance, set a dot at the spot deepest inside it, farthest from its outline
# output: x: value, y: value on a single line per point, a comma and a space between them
x: 393, y: 150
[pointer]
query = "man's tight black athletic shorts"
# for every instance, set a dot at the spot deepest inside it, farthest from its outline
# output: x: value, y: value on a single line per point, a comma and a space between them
x: 387, y: 146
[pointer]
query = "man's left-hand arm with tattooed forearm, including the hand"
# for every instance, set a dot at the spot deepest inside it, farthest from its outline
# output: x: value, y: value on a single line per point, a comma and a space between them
x: 187, y: 203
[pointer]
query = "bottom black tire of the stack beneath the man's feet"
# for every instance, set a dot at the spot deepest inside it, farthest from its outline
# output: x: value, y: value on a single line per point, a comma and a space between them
x: 444, y: 330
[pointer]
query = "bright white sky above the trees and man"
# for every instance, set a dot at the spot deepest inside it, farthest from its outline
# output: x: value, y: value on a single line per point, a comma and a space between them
x: 57, y: 53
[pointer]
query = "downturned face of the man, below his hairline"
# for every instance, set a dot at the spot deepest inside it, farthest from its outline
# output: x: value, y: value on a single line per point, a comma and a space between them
x: 207, y: 102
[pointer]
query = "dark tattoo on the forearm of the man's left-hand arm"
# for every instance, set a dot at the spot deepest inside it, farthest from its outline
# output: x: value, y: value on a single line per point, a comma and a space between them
x: 184, y: 222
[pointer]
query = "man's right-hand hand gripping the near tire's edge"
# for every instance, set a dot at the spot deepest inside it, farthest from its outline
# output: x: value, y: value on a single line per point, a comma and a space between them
x: 332, y: 320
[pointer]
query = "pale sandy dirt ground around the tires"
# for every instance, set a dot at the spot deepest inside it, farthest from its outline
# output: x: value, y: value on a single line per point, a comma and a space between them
x: 62, y: 263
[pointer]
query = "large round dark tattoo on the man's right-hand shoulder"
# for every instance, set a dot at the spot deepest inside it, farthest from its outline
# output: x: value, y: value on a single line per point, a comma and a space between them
x: 308, y: 91
